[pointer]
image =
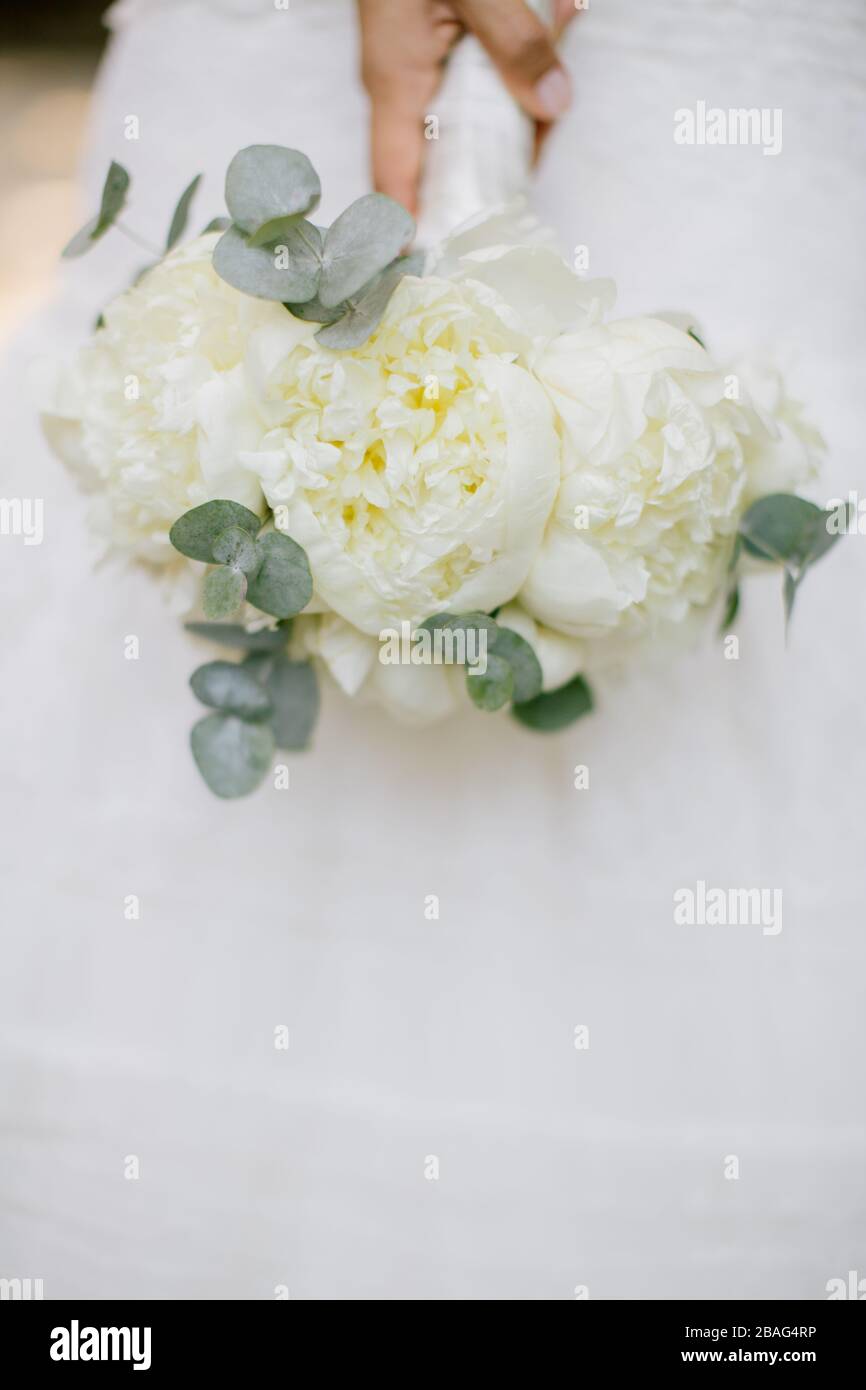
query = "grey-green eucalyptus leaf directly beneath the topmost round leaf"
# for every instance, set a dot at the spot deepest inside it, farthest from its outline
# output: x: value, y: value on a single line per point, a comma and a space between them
x: 288, y: 272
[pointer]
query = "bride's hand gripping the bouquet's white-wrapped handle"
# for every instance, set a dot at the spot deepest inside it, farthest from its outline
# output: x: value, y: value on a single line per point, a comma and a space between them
x: 404, y: 47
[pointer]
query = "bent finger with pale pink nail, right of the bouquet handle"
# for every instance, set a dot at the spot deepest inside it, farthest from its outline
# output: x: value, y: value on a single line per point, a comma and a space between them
x: 523, y: 51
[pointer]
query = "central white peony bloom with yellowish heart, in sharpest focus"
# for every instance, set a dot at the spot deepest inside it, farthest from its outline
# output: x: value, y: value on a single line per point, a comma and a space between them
x: 418, y: 472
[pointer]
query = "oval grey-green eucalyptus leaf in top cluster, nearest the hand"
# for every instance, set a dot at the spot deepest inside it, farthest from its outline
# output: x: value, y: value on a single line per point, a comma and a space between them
x: 362, y: 243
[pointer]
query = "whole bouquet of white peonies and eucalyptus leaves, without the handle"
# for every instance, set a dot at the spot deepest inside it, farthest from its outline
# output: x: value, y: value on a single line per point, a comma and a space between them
x: 444, y: 480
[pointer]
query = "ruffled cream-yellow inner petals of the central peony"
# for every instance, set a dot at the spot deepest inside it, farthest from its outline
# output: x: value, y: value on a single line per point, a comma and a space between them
x: 401, y: 450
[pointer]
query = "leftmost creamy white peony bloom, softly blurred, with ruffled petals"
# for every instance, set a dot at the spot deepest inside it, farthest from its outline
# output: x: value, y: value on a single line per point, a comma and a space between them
x: 155, y: 412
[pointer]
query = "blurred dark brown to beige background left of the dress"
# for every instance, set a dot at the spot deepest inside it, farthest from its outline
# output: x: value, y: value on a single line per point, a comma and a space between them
x: 48, y: 59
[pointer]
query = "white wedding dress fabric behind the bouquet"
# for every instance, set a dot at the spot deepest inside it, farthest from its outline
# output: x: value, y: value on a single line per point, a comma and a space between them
x: 558, y: 1167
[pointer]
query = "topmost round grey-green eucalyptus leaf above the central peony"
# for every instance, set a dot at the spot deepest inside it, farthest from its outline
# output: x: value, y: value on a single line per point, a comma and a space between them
x: 265, y: 183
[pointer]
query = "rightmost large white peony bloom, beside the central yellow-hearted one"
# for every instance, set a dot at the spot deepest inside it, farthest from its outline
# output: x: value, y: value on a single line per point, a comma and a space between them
x: 657, y: 461
